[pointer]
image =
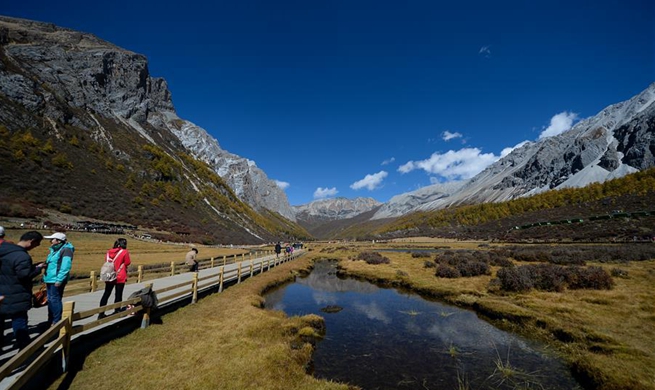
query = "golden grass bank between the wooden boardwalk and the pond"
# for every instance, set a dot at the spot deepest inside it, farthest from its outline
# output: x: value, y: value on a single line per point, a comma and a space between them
x: 223, y: 342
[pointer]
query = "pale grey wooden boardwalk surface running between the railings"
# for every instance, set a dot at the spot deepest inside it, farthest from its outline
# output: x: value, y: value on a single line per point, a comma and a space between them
x: 88, y: 301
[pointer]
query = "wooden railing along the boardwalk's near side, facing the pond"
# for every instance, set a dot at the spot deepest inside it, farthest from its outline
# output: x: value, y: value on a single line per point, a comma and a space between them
x: 57, y: 339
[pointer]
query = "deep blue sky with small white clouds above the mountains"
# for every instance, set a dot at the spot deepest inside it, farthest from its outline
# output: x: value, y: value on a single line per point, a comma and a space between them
x: 377, y: 98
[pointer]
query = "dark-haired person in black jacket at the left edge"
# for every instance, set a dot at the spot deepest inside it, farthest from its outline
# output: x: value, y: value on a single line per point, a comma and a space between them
x: 16, y: 274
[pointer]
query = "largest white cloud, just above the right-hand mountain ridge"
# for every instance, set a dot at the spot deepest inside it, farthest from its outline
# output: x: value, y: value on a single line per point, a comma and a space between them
x: 453, y: 165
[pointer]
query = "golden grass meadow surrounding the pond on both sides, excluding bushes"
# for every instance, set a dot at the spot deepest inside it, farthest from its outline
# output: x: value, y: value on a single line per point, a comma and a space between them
x: 227, y: 341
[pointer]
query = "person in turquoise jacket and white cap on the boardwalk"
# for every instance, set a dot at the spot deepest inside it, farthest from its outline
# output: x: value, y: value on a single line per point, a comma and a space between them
x: 58, y: 266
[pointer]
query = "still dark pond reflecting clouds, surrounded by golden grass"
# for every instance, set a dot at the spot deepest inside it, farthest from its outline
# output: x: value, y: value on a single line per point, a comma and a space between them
x: 388, y: 339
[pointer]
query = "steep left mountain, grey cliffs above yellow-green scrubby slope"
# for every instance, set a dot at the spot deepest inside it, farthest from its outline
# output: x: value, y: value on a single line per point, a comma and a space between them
x: 87, y: 131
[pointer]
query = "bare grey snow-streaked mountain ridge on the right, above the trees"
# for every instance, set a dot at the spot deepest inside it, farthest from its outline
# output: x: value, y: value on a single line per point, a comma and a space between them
x: 617, y: 141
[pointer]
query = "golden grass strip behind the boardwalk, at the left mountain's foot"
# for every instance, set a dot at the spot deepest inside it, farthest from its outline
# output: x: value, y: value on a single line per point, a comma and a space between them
x: 90, y: 249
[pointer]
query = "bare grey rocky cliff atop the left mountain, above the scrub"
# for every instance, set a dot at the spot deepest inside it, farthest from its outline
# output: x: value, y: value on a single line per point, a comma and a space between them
x: 89, y: 78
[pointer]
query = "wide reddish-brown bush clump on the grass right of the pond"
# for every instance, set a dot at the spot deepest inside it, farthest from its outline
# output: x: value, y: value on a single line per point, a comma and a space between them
x: 552, y: 277
